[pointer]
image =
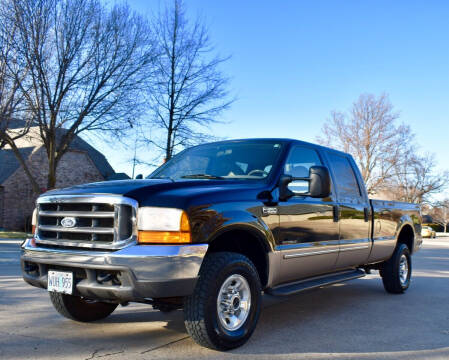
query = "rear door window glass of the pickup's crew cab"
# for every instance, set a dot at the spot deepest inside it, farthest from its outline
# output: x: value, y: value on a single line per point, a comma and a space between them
x: 346, y: 181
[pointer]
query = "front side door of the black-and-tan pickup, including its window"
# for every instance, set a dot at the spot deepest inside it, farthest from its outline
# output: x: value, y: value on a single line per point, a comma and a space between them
x: 308, y: 232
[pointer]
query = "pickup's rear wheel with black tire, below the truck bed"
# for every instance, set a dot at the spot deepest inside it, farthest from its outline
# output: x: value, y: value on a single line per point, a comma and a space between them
x: 396, y: 272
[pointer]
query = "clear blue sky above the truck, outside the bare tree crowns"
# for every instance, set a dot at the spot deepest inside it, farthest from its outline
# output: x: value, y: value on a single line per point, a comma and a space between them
x: 295, y: 61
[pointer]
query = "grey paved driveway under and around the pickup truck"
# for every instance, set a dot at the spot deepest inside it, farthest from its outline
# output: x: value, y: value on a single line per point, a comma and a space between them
x: 355, y: 320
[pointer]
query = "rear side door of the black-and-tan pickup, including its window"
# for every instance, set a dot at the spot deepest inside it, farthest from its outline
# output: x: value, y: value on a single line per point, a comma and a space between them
x: 354, y: 212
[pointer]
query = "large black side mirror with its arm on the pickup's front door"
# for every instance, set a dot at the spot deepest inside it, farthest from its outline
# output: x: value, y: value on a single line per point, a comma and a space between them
x: 319, y: 184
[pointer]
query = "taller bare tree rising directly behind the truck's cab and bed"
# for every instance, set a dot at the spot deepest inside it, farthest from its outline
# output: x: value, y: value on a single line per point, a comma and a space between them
x: 369, y: 132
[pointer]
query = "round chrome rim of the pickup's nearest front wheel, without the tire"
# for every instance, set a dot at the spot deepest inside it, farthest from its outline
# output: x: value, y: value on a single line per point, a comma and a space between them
x: 234, y: 302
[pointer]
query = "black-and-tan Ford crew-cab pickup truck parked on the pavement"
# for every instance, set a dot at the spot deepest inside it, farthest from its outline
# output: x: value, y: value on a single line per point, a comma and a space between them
x: 214, y: 228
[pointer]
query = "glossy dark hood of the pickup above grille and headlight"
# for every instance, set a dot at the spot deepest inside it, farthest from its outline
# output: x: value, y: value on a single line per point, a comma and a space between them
x: 164, y: 192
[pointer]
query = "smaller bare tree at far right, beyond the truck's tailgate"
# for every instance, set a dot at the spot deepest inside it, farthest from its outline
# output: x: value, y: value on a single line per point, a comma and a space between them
x: 415, y: 179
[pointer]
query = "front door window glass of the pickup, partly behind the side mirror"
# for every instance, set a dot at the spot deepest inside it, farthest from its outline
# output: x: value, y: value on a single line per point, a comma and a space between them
x: 298, y: 164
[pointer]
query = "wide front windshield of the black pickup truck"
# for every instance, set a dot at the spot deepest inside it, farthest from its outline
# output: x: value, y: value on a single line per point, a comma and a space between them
x: 225, y: 160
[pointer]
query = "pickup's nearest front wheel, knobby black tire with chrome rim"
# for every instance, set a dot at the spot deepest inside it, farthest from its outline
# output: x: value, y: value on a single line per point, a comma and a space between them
x: 224, y: 308
